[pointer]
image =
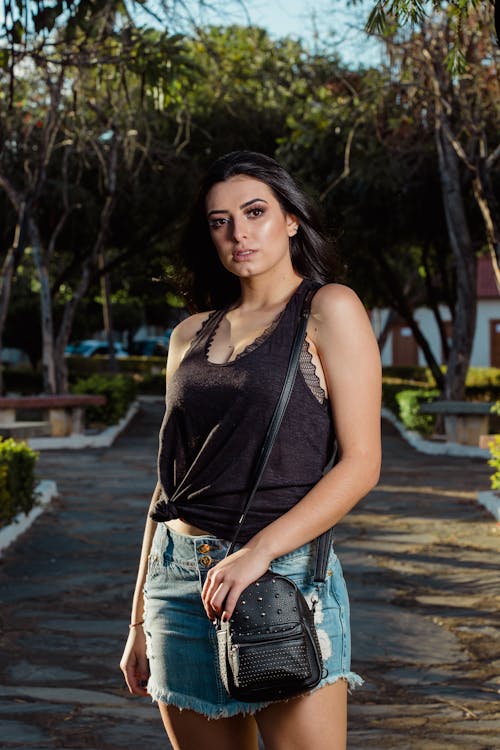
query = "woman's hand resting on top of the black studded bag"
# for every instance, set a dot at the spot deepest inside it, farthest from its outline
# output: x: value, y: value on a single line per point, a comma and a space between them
x: 226, y: 580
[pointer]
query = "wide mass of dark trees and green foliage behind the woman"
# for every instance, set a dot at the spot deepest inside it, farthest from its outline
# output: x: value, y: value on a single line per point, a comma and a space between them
x: 109, y: 116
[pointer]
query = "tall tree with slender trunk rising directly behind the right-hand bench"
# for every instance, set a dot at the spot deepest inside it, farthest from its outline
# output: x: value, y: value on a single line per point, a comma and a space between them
x: 463, y: 112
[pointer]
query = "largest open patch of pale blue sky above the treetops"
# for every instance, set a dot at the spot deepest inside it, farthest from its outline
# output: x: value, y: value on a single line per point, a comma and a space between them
x: 329, y: 21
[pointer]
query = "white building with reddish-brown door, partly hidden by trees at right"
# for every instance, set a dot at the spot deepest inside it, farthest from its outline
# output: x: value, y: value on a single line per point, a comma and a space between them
x: 401, y: 348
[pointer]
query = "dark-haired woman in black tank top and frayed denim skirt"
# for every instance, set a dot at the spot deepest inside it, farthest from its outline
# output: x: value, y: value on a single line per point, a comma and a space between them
x: 254, y: 248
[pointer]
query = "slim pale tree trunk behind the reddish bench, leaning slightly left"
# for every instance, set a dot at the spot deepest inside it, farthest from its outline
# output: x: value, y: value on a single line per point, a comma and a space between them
x: 48, y: 363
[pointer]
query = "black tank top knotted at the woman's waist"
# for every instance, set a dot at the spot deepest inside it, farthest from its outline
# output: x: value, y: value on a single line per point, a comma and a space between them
x: 214, y: 425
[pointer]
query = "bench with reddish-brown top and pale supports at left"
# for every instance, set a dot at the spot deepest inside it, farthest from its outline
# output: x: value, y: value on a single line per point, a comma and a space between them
x: 62, y: 415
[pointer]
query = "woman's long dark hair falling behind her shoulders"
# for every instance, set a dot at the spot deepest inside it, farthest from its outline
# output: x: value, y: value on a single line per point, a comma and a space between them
x: 212, y: 286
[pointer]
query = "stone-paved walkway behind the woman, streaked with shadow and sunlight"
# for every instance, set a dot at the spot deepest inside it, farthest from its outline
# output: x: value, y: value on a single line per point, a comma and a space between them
x: 421, y: 560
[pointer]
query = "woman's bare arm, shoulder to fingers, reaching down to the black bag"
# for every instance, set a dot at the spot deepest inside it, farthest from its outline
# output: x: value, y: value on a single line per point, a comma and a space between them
x: 342, y: 336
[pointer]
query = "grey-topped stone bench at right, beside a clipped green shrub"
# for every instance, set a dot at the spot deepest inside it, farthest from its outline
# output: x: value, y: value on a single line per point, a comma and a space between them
x: 464, y: 421
